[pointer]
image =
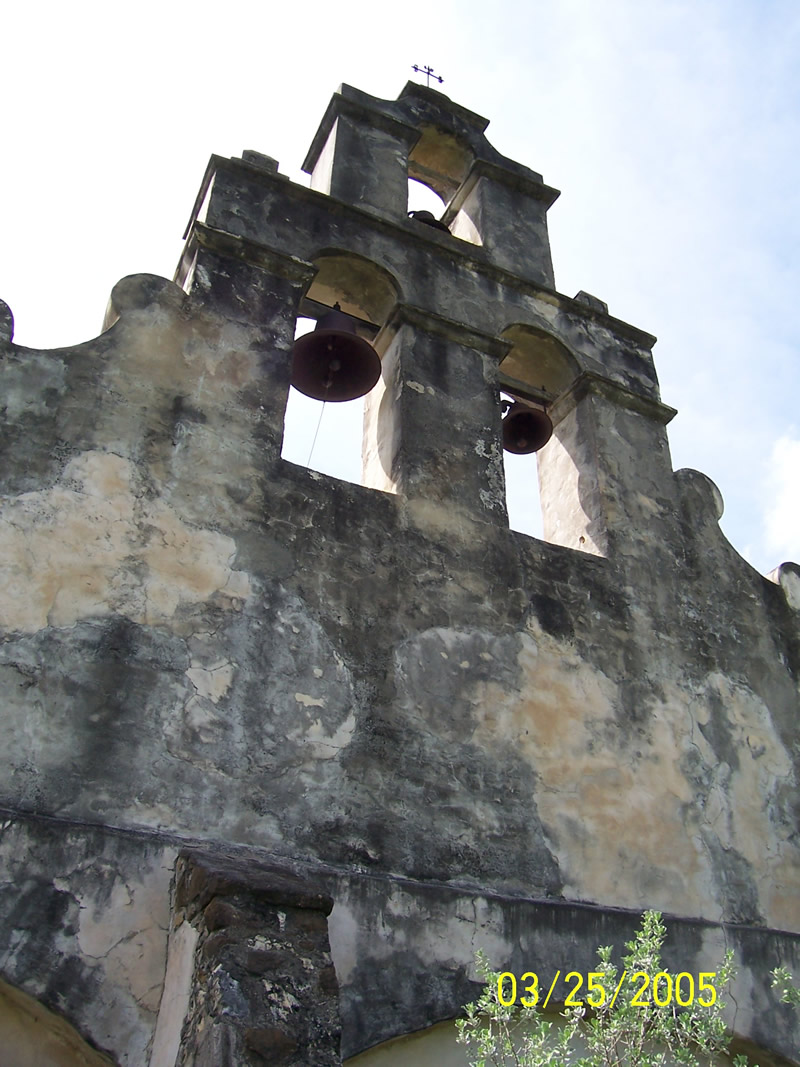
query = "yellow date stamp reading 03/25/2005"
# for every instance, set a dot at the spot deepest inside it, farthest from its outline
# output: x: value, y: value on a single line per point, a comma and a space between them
x: 662, y: 990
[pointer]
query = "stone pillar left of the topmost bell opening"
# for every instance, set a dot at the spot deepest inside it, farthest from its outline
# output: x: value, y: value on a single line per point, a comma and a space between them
x: 360, y: 155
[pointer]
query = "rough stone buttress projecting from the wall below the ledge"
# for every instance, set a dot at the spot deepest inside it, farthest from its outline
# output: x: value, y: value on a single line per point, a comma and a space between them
x: 261, y: 984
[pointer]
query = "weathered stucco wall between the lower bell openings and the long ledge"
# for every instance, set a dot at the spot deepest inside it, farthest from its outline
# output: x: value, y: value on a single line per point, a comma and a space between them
x: 223, y: 648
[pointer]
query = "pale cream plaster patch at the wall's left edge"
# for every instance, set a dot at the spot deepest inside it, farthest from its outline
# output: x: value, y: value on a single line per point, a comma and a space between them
x: 95, y: 545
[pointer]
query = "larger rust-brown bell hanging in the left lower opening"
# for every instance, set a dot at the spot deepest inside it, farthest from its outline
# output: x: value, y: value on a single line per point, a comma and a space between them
x: 334, y: 363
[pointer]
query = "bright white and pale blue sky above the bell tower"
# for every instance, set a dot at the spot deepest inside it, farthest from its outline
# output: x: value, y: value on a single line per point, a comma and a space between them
x: 671, y: 130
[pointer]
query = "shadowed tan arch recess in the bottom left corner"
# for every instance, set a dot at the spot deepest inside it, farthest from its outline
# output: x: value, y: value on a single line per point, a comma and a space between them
x: 33, y: 1036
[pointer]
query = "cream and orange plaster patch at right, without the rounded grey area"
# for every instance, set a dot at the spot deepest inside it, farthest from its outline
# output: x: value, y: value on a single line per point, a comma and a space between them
x: 618, y: 819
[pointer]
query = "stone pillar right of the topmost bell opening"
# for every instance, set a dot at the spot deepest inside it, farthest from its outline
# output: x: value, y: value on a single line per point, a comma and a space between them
x: 507, y: 213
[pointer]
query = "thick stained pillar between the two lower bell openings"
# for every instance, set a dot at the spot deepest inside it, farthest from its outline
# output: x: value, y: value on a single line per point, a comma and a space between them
x: 433, y: 424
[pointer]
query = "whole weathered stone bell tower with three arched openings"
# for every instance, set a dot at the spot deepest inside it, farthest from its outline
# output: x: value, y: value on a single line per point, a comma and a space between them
x: 283, y: 752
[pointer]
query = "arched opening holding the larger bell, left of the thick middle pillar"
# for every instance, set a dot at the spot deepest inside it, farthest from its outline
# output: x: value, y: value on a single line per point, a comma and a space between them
x: 340, y: 317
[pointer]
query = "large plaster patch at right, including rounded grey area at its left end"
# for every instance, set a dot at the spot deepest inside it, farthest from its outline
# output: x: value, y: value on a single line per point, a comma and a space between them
x: 615, y: 790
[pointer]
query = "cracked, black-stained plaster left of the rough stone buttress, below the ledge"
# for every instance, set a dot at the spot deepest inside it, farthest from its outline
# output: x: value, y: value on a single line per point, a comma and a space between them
x: 94, y: 910
